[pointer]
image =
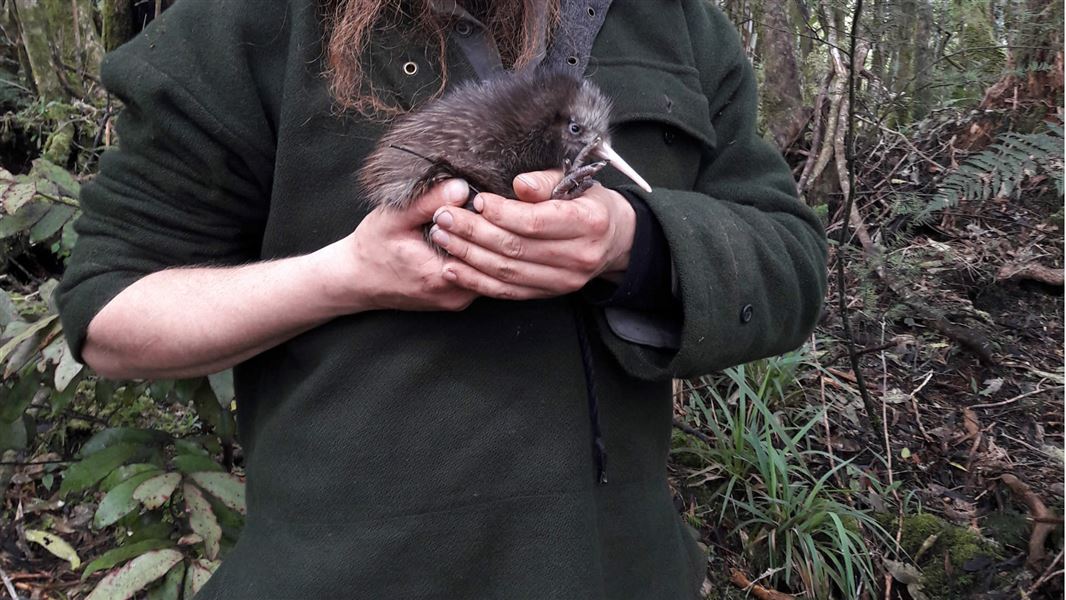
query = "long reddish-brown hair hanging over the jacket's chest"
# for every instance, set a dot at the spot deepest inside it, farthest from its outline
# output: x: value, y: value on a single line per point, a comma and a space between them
x: 350, y: 26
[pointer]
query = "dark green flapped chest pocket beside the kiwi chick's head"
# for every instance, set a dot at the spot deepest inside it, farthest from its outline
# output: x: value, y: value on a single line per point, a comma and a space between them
x: 661, y: 121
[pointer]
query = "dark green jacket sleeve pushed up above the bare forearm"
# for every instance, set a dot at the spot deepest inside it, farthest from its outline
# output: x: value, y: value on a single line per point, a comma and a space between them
x: 189, y: 182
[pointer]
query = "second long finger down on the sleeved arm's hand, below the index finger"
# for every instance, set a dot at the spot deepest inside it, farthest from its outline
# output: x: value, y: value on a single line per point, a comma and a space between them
x: 575, y: 255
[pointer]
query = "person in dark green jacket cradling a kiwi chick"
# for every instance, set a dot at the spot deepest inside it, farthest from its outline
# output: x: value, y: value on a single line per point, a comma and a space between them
x: 433, y: 419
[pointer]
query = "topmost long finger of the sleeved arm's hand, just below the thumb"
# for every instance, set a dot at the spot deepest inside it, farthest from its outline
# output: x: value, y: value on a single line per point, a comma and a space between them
x: 552, y: 220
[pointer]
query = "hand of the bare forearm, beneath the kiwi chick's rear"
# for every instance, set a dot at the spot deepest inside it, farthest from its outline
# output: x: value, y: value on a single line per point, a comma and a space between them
x: 386, y: 264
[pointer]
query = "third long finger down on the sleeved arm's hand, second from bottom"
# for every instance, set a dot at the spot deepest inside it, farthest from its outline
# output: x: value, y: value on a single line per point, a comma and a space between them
x: 508, y: 270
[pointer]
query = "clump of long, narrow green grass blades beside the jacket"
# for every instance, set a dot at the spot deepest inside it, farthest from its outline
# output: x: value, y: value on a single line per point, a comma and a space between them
x: 795, y: 527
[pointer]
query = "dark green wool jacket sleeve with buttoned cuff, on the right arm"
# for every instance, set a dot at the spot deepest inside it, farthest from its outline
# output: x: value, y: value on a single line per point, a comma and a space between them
x: 749, y: 257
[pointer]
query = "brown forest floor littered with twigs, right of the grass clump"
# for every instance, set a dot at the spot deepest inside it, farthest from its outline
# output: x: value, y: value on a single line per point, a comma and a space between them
x: 973, y: 427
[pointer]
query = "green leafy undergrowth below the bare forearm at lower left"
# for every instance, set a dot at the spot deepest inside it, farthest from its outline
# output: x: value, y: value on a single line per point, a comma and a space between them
x: 150, y: 462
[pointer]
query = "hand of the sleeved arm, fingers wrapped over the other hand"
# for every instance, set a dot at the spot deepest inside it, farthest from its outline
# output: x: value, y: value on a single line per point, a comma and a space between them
x: 537, y: 248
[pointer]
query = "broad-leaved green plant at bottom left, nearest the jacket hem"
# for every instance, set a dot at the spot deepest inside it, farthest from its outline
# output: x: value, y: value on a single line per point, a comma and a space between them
x: 179, y: 514
